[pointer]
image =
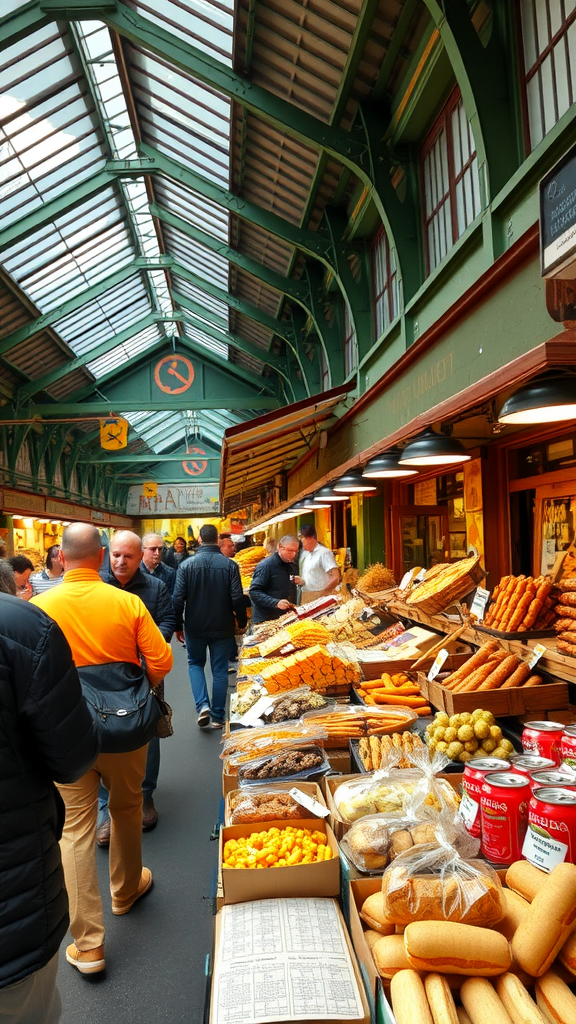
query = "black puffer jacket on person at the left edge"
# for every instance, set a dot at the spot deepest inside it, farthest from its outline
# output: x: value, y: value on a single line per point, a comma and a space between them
x: 47, y: 735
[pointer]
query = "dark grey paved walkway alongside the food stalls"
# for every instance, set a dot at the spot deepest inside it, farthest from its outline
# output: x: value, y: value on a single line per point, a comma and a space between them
x: 156, y: 954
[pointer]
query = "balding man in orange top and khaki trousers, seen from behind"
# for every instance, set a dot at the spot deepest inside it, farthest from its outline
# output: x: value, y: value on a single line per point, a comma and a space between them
x: 103, y: 625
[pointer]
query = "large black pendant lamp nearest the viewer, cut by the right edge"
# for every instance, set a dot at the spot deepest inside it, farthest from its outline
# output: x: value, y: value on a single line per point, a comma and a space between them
x: 549, y: 400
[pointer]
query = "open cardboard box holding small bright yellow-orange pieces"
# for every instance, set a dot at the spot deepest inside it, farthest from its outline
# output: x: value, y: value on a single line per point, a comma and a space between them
x: 302, y: 880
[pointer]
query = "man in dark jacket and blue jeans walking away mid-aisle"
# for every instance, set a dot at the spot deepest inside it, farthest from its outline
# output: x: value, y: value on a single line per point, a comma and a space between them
x: 210, y: 587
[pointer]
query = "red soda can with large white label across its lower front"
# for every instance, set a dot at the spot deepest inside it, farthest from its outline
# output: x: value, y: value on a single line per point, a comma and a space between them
x: 551, y: 838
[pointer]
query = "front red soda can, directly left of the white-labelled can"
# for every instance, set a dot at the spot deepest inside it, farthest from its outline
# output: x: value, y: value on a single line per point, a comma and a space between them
x: 504, y: 808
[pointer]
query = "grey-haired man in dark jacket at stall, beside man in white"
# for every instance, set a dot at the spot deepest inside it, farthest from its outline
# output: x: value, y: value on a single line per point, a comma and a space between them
x: 273, y: 590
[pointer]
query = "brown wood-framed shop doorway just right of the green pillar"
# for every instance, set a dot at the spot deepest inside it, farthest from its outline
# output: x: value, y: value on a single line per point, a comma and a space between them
x: 421, y: 537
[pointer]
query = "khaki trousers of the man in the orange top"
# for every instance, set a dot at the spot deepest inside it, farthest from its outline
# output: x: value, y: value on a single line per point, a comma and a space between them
x: 122, y: 775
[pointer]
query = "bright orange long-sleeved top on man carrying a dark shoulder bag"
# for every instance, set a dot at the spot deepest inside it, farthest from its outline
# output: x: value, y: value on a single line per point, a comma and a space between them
x: 104, y: 624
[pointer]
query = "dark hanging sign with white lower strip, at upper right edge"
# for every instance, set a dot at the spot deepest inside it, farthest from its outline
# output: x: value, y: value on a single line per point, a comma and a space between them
x: 558, y: 215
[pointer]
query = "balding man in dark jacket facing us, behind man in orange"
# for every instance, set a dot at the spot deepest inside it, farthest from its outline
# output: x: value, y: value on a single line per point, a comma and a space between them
x: 127, y: 573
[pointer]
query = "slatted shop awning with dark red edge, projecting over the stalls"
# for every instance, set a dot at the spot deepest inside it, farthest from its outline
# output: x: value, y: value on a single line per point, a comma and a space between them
x: 254, y: 454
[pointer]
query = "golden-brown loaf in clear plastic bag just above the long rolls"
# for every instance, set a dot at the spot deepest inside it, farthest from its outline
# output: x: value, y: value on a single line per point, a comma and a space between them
x: 472, y: 901
